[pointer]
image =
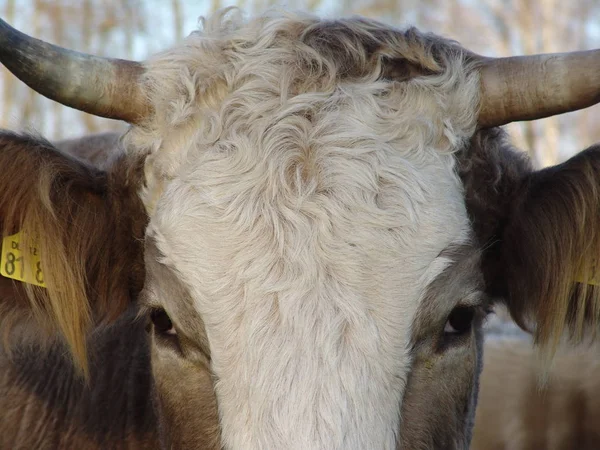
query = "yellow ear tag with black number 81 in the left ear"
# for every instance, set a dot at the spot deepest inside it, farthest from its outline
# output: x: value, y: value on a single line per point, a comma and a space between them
x: 12, y: 263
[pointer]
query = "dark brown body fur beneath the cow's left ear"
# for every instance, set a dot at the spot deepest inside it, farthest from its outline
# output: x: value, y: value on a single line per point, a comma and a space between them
x: 44, y: 404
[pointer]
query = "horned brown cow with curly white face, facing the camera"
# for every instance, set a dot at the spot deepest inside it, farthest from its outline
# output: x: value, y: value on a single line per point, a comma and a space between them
x: 310, y: 217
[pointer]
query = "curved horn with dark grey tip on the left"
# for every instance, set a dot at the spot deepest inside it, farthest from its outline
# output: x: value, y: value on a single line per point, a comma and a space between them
x: 99, y: 86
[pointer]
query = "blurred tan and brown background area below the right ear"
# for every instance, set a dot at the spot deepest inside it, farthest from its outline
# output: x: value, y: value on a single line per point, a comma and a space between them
x: 525, y: 406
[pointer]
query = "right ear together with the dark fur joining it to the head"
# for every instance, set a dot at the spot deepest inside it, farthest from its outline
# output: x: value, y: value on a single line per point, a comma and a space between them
x: 540, y: 231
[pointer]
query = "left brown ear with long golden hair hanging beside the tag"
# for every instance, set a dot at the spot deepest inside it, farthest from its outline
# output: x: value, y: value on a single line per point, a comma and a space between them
x: 87, y: 224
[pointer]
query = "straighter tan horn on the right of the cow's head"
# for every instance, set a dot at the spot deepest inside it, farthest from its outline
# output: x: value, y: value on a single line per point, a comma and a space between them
x: 533, y: 87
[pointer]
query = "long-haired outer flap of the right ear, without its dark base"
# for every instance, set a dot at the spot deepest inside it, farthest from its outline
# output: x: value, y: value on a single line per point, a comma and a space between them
x: 552, y: 240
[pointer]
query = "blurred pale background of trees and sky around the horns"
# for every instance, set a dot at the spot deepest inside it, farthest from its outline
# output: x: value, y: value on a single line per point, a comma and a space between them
x: 134, y: 29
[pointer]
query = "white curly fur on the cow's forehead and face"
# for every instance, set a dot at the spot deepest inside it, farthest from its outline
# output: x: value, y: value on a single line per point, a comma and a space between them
x: 303, y: 191
